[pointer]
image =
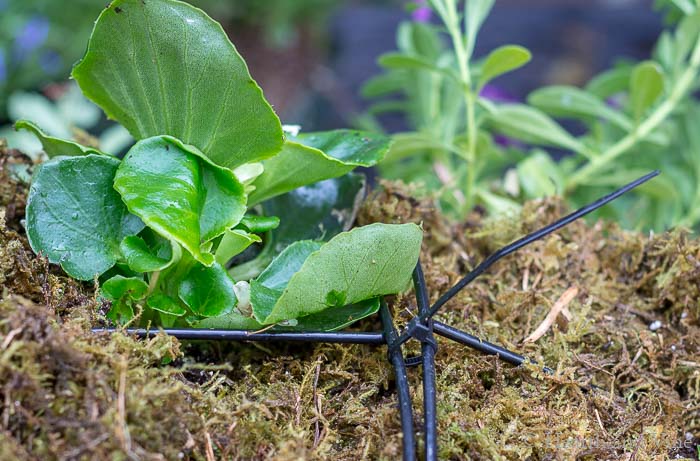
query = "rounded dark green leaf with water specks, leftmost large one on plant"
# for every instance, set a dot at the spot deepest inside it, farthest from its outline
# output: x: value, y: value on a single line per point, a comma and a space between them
x: 67, y: 222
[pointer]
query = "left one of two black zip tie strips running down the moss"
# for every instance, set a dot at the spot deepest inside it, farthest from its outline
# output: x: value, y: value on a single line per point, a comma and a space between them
x: 405, y: 406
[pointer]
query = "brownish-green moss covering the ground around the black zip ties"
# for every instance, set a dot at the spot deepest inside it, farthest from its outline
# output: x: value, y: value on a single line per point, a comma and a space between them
x: 625, y: 349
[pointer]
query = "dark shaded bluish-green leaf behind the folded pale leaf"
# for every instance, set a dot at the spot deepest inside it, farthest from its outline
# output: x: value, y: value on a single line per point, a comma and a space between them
x: 315, y: 212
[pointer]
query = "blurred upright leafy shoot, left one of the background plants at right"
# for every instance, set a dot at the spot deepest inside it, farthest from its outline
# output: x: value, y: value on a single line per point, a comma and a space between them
x: 450, y: 150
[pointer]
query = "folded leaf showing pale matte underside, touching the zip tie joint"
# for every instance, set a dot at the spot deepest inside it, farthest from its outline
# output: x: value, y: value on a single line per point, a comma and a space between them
x: 364, y: 263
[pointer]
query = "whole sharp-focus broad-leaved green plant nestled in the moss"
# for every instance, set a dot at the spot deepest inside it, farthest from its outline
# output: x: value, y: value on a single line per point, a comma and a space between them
x: 159, y: 227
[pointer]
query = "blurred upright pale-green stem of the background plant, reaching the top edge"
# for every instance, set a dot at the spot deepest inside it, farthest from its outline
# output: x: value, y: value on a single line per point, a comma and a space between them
x: 451, y: 20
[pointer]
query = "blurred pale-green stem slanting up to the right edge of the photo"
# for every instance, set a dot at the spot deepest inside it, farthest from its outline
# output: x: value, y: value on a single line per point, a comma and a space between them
x: 658, y: 116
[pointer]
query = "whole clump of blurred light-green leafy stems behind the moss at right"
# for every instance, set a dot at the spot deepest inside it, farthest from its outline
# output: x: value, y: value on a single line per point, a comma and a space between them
x: 635, y: 117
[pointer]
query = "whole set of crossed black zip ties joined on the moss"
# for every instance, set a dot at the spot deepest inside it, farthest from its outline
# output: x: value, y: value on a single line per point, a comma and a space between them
x: 421, y: 328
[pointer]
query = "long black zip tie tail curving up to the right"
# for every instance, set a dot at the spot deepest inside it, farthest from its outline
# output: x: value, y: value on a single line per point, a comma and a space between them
x: 508, y: 249
